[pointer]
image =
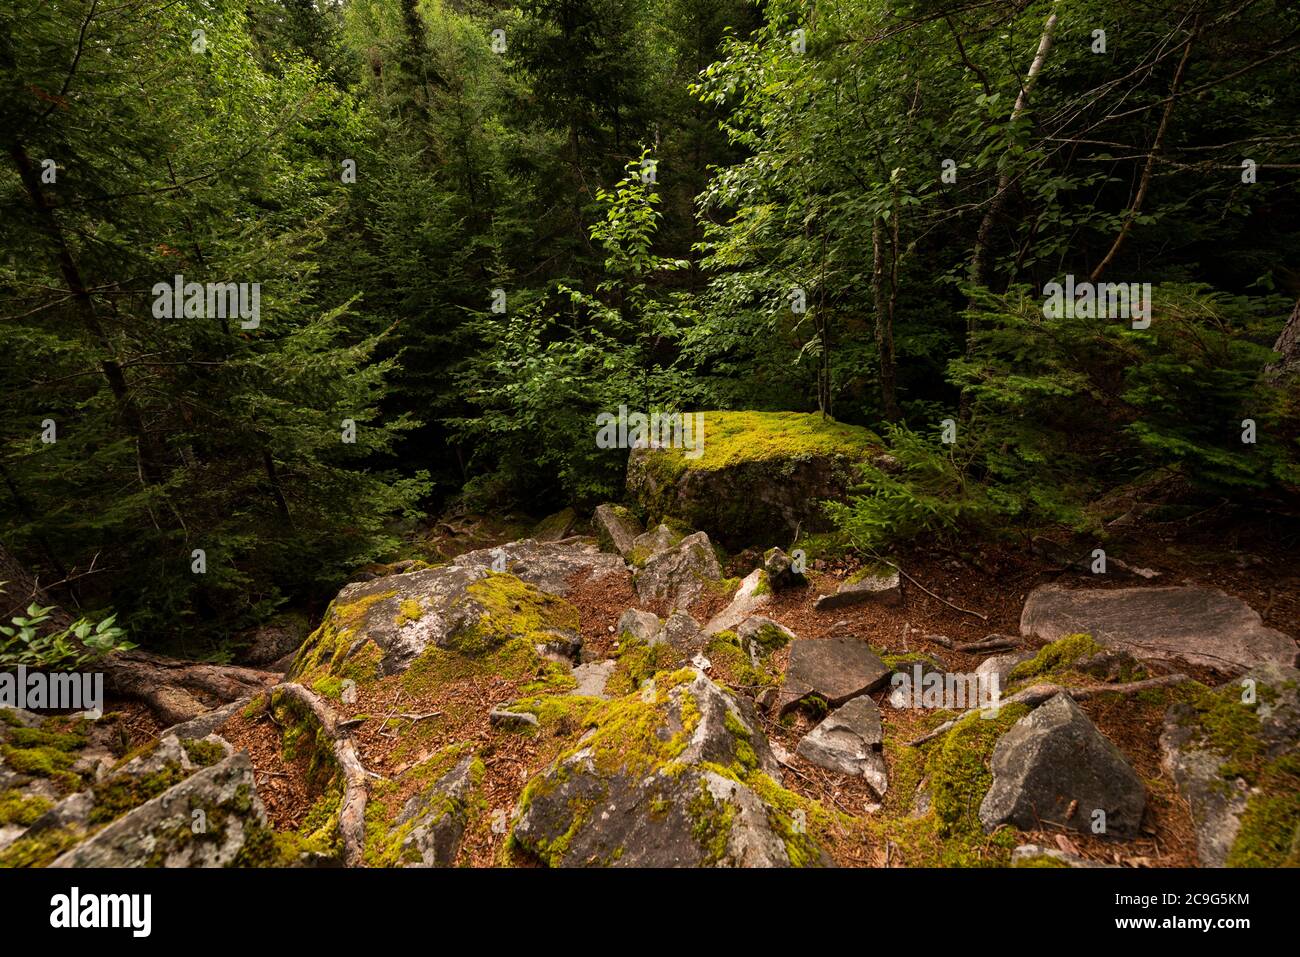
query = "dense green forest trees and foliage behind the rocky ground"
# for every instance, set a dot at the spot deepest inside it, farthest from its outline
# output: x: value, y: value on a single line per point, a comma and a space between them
x: 476, y: 226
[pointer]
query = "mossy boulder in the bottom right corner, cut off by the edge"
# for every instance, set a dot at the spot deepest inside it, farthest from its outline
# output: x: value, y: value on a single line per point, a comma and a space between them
x: 1234, y: 754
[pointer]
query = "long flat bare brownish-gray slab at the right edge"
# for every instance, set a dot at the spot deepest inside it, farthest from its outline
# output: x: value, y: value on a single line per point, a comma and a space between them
x: 1201, y: 626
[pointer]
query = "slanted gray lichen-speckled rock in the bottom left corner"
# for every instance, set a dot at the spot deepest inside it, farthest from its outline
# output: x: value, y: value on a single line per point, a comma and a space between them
x: 162, y: 833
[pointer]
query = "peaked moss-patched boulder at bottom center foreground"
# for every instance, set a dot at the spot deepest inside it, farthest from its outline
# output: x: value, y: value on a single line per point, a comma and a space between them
x: 678, y: 776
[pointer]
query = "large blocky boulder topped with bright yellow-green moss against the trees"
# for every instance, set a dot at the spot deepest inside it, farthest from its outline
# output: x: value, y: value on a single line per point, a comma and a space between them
x: 760, y: 478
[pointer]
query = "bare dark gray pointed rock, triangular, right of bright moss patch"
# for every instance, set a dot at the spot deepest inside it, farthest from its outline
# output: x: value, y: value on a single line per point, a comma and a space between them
x: 1051, y: 759
